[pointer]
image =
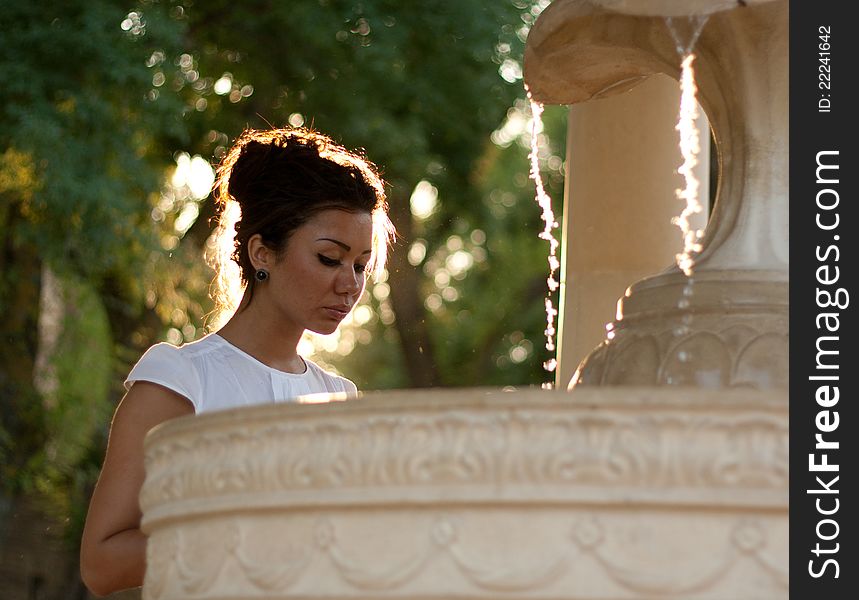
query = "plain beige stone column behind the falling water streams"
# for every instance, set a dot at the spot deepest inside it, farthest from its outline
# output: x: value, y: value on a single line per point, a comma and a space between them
x: 623, y: 151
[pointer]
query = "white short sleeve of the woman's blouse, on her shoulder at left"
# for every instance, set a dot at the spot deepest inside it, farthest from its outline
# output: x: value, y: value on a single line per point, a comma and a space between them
x: 166, y: 365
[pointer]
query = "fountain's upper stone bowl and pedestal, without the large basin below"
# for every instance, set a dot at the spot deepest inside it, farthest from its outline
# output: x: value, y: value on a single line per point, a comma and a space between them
x: 734, y: 330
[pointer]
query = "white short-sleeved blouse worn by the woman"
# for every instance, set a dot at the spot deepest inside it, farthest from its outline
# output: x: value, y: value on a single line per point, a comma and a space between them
x: 215, y: 375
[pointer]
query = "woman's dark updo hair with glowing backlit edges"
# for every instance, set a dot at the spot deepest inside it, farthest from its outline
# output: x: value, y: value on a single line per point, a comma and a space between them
x: 271, y: 182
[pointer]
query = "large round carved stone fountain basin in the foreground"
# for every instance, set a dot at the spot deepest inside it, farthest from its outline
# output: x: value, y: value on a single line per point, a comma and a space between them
x: 474, y: 493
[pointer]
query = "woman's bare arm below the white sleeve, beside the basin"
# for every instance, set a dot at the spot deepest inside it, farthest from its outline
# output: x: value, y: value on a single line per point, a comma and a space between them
x: 113, y: 549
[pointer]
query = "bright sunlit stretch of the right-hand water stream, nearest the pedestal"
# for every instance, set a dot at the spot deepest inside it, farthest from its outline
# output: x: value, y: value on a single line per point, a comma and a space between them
x: 690, y: 147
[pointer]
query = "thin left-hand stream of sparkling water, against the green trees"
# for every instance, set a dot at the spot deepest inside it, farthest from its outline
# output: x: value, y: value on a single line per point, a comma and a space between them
x: 549, y: 223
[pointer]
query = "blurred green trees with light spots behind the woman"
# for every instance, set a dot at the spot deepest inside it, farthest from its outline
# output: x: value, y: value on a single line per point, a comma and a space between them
x: 112, y: 117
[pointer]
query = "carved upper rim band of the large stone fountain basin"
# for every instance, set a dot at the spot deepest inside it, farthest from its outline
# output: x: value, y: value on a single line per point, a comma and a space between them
x: 175, y: 450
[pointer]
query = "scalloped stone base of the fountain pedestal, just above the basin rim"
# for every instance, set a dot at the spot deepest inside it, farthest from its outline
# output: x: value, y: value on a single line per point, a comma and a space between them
x: 714, y: 341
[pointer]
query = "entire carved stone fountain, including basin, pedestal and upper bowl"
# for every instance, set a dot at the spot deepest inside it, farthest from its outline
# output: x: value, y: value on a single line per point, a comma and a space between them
x: 605, y: 492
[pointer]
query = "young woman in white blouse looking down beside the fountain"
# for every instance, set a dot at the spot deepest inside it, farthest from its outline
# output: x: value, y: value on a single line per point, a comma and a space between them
x: 313, y: 222
